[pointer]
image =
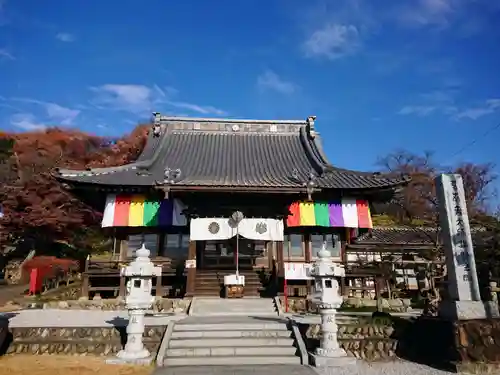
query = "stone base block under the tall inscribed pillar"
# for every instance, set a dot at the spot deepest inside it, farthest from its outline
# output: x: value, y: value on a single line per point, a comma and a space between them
x: 466, y: 310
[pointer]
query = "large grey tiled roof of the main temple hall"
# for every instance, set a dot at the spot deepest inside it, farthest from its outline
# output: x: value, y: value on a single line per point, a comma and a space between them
x: 232, y: 153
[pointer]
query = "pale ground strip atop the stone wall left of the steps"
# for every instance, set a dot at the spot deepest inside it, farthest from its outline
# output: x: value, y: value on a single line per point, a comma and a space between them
x: 77, y: 318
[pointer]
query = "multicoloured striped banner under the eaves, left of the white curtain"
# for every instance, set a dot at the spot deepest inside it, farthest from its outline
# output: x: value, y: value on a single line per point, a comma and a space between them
x: 141, y: 211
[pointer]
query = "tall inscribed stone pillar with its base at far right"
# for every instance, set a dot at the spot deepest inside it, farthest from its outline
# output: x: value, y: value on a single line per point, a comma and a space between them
x: 464, y: 300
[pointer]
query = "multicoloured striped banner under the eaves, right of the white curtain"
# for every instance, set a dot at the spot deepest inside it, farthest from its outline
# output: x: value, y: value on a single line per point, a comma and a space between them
x: 348, y: 213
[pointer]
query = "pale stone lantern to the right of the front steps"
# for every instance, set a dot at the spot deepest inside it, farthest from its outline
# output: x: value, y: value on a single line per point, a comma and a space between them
x: 328, y: 299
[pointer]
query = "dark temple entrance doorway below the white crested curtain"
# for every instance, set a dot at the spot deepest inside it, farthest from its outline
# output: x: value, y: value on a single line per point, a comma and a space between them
x: 222, y: 254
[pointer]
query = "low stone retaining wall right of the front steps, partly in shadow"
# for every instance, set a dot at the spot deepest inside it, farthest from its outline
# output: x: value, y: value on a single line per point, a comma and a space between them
x: 432, y: 341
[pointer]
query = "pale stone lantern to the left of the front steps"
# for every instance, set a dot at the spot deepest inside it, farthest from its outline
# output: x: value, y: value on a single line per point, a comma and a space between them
x: 138, y: 299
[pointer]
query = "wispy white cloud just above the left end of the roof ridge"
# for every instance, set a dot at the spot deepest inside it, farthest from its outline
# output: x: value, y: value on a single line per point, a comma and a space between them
x: 141, y: 99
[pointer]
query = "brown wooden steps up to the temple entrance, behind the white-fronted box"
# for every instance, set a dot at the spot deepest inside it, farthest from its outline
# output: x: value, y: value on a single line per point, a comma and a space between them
x: 209, y: 283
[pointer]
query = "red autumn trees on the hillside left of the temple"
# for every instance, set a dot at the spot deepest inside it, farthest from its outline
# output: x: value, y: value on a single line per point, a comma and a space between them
x: 34, y: 204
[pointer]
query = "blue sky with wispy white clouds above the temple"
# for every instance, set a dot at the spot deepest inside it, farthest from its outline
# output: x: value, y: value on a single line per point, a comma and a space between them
x: 379, y: 75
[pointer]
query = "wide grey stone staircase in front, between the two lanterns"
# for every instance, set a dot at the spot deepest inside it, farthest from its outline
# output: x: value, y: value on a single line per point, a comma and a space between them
x: 230, y: 340
